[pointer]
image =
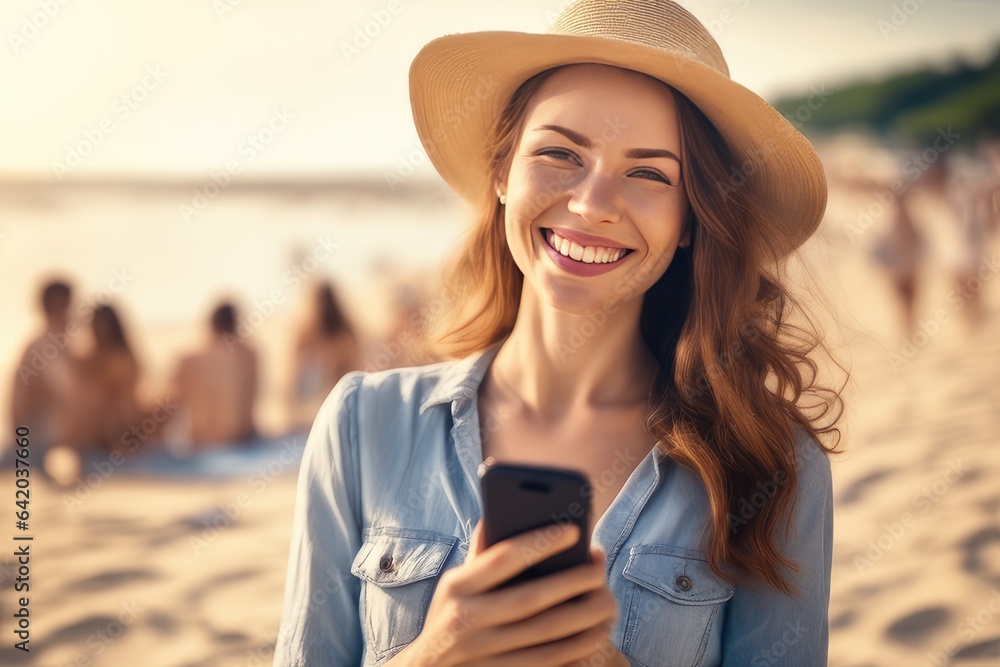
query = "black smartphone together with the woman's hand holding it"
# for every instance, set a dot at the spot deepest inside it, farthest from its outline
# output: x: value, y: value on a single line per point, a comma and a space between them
x: 531, y: 589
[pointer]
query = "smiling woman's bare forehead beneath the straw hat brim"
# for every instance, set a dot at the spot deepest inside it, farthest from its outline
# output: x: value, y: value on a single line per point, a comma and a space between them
x: 608, y: 102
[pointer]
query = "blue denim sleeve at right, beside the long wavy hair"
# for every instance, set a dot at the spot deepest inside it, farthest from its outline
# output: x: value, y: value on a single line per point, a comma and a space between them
x: 766, y: 627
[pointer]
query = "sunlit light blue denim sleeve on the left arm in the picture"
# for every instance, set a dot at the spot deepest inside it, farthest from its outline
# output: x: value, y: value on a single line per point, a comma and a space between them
x: 320, y: 624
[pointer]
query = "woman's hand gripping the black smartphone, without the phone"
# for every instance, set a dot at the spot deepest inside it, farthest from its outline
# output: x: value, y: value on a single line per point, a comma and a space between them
x: 556, y: 620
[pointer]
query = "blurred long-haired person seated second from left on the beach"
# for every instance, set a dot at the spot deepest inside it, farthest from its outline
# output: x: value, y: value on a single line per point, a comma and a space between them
x: 109, y: 380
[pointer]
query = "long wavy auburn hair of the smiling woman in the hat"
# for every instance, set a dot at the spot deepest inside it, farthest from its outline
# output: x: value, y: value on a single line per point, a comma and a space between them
x: 737, y: 373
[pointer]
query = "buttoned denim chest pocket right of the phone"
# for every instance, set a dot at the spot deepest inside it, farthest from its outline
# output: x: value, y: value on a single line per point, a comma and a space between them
x: 674, y: 603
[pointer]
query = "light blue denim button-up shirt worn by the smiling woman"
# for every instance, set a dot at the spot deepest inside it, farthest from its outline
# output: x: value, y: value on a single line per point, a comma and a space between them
x: 388, y: 495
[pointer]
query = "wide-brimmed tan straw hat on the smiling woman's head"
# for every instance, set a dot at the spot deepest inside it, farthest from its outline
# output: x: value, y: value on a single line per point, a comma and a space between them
x: 460, y: 83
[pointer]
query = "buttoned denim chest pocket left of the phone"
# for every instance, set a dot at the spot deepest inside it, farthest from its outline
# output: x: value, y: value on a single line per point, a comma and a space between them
x: 399, y: 569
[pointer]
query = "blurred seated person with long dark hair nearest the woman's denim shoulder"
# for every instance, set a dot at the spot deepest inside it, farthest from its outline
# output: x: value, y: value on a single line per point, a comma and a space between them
x: 327, y: 347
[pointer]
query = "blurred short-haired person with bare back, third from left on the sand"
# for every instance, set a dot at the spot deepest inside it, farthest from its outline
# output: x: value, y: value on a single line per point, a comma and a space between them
x: 216, y: 387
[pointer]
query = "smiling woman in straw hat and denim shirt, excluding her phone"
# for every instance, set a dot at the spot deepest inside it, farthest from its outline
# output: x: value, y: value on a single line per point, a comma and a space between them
x: 656, y: 357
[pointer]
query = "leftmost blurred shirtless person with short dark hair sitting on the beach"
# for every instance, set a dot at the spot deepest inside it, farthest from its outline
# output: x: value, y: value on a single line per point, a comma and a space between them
x: 46, y: 377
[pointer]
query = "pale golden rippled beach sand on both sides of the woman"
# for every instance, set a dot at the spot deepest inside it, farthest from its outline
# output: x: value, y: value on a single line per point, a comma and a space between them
x: 129, y: 569
